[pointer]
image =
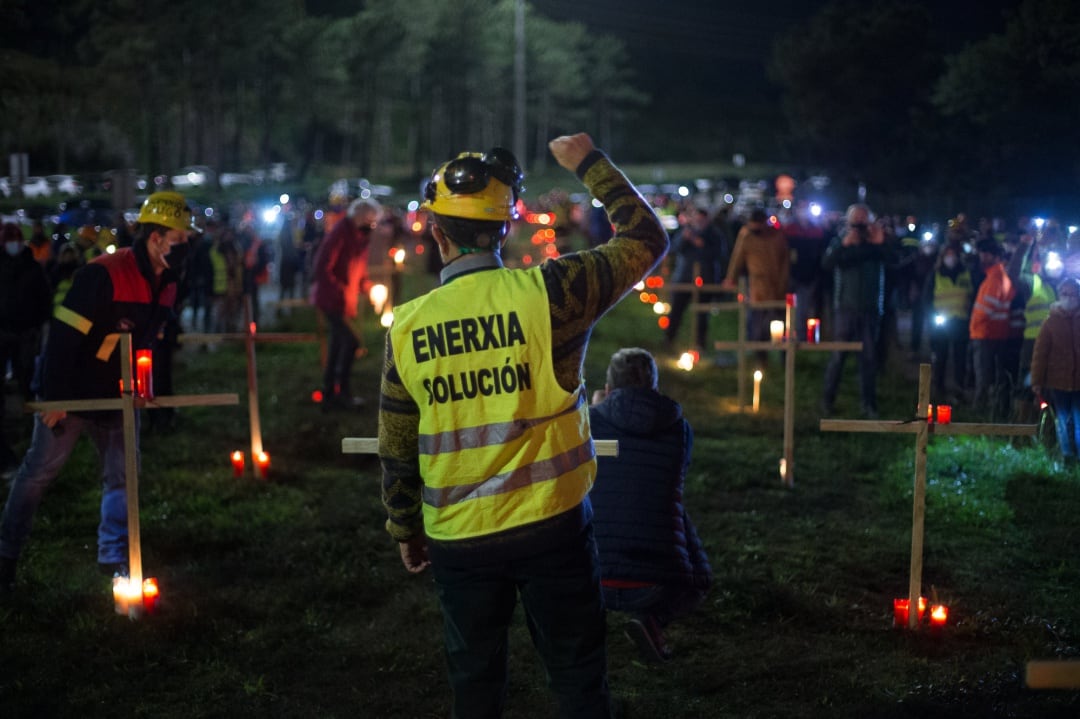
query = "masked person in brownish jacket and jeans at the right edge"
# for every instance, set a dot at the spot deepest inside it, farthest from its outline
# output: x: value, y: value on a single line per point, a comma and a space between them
x: 1056, y: 368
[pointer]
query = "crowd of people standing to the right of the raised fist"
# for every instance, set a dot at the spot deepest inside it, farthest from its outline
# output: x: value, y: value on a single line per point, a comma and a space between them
x: 971, y: 301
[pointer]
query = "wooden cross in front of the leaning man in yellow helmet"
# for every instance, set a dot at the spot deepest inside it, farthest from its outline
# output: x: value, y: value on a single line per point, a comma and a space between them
x: 128, y: 403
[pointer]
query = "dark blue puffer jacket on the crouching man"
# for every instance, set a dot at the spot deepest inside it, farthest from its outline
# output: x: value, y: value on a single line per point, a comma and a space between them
x: 642, y: 528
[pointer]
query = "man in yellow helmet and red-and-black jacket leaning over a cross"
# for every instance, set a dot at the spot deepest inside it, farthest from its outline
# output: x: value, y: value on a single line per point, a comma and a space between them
x: 131, y: 291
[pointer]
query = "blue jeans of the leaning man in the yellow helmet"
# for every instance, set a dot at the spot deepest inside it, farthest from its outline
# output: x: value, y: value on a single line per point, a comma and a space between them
x: 47, y: 456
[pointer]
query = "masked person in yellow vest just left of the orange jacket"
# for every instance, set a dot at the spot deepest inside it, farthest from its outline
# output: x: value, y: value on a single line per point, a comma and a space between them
x: 953, y: 293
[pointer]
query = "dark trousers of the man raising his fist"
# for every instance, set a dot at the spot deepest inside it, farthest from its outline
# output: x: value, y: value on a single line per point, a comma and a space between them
x: 564, y: 613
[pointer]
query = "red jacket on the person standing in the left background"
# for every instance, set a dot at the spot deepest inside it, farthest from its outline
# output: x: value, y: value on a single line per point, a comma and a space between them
x: 341, y: 268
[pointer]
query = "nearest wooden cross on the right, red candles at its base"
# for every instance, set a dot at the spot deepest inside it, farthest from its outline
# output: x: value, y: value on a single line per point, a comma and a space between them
x: 923, y: 429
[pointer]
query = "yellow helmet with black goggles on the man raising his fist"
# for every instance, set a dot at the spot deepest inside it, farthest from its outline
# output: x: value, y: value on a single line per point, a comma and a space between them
x: 476, y: 186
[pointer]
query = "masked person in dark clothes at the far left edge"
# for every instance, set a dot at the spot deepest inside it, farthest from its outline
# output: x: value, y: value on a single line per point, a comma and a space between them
x: 24, y: 308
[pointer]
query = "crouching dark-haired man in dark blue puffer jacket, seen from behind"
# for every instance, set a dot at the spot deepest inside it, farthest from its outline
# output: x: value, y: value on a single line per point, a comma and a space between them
x: 653, y: 565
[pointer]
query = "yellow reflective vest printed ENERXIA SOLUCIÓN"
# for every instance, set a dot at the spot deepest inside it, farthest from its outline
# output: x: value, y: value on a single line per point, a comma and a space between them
x: 502, y: 444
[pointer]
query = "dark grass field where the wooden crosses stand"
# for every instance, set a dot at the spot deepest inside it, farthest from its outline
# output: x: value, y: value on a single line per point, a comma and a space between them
x: 287, y: 599
